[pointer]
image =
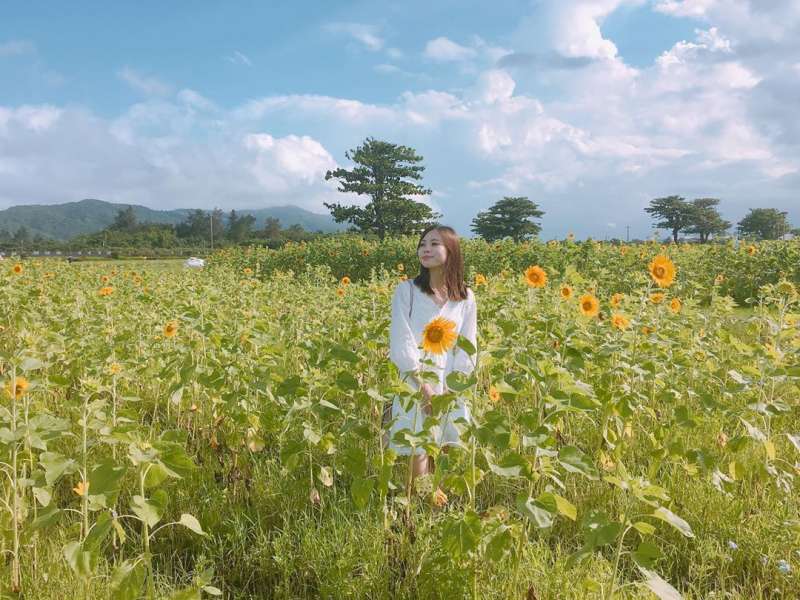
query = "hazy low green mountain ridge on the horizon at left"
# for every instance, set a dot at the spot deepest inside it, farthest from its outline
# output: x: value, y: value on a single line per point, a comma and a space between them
x: 64, y: 221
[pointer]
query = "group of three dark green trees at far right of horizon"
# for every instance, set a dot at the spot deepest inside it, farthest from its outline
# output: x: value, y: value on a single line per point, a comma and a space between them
x: 701, y: 217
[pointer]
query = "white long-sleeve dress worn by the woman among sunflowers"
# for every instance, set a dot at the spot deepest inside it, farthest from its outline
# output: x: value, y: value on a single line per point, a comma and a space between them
x: 409, y: 318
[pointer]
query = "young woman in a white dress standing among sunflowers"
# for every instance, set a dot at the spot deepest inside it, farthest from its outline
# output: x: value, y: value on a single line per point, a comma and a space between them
x: 438, y: 291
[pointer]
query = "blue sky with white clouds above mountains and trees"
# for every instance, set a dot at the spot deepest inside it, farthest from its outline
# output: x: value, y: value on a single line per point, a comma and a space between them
x: 588, y: 107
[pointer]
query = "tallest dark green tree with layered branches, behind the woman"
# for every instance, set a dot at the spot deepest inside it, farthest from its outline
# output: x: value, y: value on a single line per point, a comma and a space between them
x: 387, y: 174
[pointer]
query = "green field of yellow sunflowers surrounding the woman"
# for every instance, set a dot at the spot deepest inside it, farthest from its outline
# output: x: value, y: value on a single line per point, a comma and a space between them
x: 177, y: 433
